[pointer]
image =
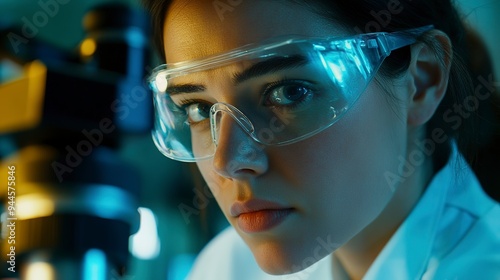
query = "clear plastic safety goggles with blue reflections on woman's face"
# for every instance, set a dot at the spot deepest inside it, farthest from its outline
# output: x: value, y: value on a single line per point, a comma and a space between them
x: 281, y: 91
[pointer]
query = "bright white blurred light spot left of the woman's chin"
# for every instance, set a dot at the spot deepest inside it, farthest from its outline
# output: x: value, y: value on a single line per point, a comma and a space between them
x: 145, y: 244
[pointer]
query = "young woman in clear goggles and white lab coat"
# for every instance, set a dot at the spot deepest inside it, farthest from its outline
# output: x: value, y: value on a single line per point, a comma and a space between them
x: 333, y: 153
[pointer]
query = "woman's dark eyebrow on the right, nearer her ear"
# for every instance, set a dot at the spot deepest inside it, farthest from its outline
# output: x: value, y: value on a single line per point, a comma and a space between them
x: 269, y: 66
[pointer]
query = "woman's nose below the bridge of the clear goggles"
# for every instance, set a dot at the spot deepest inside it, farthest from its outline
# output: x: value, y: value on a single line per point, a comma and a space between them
x: 237, y: 155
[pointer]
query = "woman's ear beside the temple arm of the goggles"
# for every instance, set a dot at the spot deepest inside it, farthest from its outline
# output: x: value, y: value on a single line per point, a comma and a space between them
x: 429, y: 72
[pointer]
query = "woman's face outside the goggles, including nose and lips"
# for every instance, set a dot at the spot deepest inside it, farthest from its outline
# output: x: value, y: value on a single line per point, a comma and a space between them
x: 297, y: 203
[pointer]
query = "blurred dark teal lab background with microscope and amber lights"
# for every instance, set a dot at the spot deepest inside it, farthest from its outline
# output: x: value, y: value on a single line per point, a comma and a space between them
x: 102, y: 158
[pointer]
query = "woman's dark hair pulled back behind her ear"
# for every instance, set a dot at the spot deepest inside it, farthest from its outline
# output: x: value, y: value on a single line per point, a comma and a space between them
x: 363, y: 16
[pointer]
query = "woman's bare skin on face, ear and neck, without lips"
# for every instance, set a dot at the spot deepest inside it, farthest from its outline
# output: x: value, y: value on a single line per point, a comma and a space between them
x: 334, y: 180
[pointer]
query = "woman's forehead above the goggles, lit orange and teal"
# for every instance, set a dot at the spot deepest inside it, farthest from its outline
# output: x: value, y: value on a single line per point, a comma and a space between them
x: 198, y: 29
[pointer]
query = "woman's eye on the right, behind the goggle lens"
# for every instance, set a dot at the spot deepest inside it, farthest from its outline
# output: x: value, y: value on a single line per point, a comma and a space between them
x: 288, y: 93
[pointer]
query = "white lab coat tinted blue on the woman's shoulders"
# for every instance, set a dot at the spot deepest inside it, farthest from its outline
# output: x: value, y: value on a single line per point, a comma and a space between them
x: 452, y: 233
